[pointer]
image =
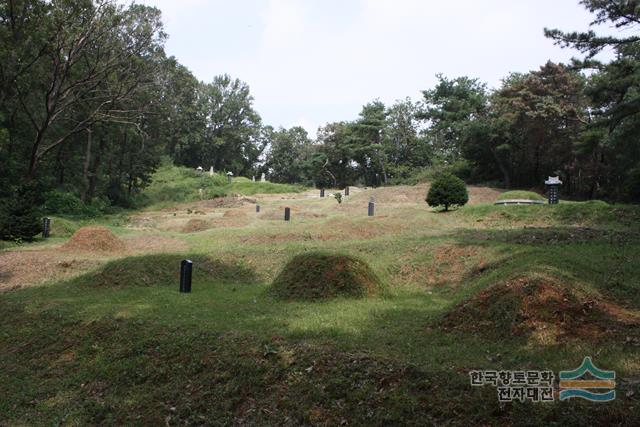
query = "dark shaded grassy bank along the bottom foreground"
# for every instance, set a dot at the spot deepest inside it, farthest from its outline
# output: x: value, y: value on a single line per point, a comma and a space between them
x: 130, y: 372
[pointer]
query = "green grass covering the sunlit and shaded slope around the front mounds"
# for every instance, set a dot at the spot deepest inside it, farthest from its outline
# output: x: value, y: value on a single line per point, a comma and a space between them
x: 120, y: 345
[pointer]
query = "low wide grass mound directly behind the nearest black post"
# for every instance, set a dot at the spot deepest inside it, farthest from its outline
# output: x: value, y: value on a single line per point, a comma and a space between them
x: 164, y: 269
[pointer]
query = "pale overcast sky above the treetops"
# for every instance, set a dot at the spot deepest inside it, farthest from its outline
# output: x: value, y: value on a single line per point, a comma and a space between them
x: 309, y: 62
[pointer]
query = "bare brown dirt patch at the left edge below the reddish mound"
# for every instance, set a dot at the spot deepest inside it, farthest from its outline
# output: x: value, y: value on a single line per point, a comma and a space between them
x: 19, y: 269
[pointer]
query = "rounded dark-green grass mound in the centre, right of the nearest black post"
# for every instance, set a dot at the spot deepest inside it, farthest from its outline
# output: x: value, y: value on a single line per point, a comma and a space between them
x: 318, y: 275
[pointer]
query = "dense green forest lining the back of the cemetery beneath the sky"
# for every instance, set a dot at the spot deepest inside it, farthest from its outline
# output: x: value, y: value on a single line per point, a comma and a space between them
x: 91, y: 105
